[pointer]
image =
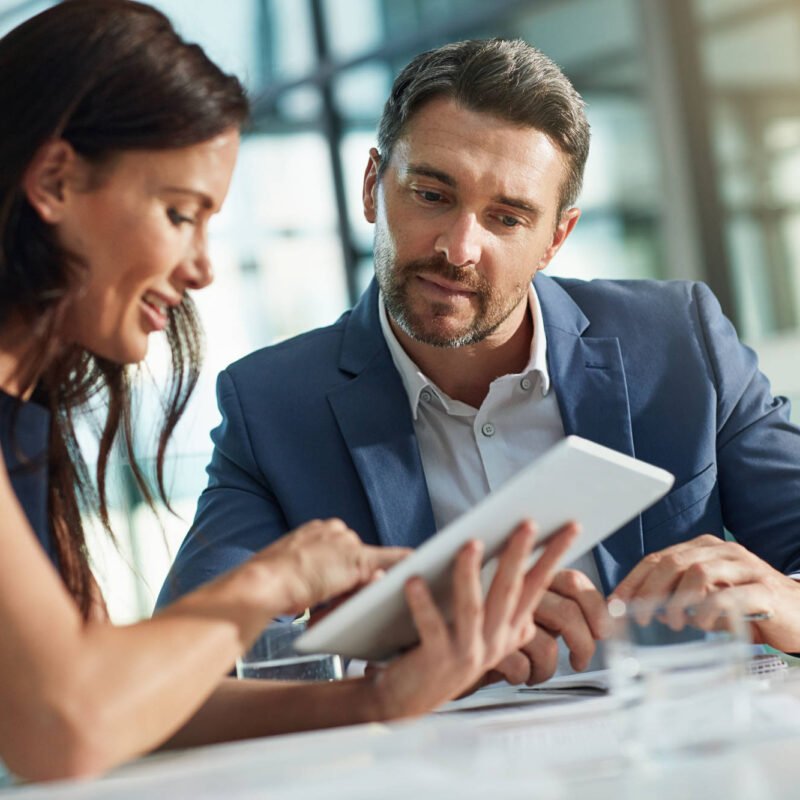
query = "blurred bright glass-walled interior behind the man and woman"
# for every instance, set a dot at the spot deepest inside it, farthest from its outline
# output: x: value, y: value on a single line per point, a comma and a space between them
x: 694, y: 172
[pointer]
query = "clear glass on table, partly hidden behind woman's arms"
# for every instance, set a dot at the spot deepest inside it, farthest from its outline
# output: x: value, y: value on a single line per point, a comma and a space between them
x: 272, y: 657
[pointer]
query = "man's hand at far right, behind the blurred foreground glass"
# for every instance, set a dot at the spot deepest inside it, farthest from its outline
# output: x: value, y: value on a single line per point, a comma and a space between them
x: 715, y: 578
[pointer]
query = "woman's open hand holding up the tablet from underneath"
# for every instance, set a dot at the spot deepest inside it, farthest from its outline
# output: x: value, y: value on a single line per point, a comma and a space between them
x: 452, y: 658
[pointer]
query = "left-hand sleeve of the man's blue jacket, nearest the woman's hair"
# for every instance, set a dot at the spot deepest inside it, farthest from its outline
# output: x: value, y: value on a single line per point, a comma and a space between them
x: 237, y: 514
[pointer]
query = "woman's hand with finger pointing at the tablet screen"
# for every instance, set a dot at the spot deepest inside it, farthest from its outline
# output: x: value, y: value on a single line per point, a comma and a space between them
x: 323, y: 559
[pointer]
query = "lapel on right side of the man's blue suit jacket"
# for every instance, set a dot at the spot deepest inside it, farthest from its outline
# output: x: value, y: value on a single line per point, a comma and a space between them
x: 588, y: 376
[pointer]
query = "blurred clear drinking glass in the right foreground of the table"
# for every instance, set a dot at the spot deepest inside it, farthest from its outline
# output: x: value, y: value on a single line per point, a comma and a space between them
x: 681, y: 688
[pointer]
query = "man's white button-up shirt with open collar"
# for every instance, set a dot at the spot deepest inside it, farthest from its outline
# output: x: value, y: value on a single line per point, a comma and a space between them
x: 467, y: 452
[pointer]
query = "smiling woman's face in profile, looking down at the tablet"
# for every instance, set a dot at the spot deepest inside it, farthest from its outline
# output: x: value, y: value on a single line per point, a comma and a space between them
x: 140, y: 226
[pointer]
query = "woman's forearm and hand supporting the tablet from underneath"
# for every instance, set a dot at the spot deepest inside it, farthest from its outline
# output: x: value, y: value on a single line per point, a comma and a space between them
x: 449, y: 660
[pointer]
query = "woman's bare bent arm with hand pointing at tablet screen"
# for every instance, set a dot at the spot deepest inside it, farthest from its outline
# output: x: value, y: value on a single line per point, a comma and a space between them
x: 79, y: 697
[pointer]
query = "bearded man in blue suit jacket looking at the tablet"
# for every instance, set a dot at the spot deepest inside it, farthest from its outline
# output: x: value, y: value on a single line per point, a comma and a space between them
x: 456, y: 368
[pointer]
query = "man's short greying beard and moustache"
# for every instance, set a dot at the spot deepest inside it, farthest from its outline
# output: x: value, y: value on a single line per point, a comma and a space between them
x: 396, y: 282
